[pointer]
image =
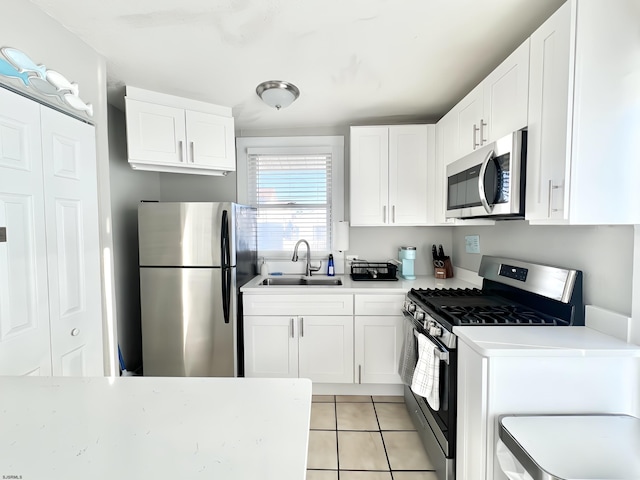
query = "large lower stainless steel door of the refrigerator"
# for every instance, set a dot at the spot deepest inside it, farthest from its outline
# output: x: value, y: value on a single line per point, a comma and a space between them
x: 183, y: 327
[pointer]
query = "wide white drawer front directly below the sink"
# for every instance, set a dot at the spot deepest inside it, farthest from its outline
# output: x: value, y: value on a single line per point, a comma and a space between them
x: 298, y: 304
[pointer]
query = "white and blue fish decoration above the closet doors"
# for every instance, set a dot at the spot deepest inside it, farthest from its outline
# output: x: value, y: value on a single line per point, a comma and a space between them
x: 17, y: 65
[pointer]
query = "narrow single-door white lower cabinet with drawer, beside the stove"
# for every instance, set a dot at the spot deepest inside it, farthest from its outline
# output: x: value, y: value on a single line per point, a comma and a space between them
x: 378, y: 338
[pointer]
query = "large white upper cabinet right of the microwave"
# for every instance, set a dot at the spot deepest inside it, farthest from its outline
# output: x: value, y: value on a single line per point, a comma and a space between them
x: 584, y: 116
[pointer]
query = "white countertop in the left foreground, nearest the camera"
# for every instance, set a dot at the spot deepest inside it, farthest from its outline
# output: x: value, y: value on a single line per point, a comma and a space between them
x: 153, y: 428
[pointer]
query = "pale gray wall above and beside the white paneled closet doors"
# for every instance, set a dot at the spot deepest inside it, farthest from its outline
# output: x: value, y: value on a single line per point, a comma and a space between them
x: 27, y: 28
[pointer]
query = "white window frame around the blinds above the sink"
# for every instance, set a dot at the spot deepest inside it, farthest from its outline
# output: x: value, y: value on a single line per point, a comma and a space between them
x: 333, y: 145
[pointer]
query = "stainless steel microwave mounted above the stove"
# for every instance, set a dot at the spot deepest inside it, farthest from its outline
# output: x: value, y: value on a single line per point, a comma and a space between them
x: 490, y: 181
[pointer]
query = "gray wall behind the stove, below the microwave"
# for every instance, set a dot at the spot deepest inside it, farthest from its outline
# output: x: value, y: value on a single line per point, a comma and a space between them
x: 603, y: 253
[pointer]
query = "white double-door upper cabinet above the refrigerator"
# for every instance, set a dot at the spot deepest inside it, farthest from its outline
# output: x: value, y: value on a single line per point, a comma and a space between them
x: 171, y: 134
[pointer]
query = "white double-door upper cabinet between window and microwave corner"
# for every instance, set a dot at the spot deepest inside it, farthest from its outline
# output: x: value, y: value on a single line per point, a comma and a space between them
x: 391, y: 168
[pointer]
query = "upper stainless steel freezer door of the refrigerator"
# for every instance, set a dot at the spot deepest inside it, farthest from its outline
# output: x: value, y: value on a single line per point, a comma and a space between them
x: 185, y: 234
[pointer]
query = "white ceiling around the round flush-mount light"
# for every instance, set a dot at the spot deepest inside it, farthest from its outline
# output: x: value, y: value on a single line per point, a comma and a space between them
x: 354, y: 61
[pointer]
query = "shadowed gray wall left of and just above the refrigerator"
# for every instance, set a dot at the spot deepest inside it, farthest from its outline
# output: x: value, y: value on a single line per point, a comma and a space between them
x: 128, y: 188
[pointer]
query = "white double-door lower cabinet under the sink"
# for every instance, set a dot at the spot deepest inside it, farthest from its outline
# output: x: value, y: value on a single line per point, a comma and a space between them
x: 308, y: 336
